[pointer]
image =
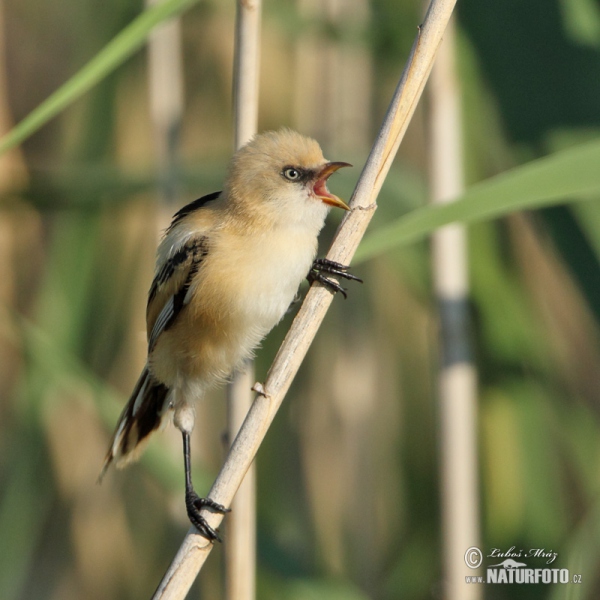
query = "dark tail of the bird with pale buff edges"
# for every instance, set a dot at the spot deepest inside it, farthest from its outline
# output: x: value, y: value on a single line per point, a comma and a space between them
x: 141, y: 416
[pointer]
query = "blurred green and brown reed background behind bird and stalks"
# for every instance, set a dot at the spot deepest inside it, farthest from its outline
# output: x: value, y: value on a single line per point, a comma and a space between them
x: 348, y: 476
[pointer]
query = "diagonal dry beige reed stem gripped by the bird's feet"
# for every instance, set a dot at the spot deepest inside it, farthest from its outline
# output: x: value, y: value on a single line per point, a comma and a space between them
x: 195, y: 549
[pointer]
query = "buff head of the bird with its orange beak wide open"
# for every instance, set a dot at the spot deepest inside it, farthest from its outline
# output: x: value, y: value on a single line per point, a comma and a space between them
x: 284, y: 174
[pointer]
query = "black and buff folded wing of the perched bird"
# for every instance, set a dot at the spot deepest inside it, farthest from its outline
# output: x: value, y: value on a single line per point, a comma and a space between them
x: 168, y: 292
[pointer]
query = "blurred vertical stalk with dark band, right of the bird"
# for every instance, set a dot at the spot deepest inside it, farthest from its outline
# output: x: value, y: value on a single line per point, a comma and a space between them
x: 457, y: 385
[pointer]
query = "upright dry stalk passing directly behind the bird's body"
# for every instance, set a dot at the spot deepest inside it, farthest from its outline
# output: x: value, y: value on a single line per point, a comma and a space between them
x: 240, y: 542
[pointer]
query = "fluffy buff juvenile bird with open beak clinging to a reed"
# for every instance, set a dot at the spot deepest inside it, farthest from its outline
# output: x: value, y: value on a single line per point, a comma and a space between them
x: 227, y: 270
